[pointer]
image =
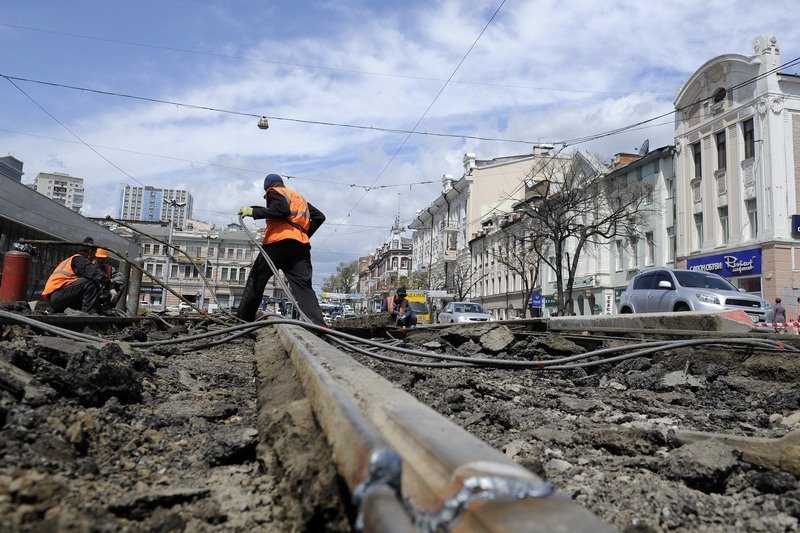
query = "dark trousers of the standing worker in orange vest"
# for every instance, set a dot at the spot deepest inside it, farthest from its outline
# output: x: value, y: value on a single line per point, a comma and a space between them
x: 294, y: 259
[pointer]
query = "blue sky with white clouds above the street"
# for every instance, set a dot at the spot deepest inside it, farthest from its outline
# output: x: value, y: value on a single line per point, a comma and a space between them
x: 542, y: 71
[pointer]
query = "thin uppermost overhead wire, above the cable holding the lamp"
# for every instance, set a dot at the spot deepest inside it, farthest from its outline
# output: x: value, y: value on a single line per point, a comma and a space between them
x: 316, y: 67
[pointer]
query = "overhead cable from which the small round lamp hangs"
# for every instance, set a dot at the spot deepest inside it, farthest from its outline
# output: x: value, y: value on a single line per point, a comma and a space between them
x: 270, y: 117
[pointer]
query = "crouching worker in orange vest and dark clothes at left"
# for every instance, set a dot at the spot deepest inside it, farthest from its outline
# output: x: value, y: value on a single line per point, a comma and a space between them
x: 76, y: 282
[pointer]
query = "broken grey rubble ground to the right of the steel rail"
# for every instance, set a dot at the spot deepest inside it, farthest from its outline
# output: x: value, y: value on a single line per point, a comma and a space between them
x: 606, y: 438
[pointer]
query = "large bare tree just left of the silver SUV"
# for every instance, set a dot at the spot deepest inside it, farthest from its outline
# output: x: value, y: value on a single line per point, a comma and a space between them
x: 577, y: 206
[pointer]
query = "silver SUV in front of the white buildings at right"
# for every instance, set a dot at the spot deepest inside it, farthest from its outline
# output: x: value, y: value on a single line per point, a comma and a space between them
x: 661, y: 290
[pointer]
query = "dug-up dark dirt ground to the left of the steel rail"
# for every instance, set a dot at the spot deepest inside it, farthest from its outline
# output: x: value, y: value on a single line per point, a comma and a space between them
x: 113, y: 439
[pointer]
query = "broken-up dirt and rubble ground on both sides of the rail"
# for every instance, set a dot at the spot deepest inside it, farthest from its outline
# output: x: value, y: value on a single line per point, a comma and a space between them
x: 109, y: 438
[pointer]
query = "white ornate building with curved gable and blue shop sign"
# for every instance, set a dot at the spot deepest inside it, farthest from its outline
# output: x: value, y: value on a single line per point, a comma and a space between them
x: 737, y: 142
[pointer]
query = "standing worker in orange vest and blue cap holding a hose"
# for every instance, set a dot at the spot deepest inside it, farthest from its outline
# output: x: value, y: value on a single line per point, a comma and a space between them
x: 291, y: 221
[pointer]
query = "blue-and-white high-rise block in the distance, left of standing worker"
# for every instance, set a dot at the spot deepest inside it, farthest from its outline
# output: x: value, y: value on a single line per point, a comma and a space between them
x: 154, y: 205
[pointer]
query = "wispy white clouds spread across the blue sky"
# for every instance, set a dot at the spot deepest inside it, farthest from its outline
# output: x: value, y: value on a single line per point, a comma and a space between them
x: 589, y: 56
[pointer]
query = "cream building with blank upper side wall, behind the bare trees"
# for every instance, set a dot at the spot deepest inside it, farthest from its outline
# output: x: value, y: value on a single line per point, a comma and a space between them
x: 443, y: 229
